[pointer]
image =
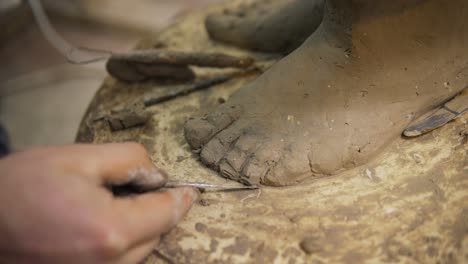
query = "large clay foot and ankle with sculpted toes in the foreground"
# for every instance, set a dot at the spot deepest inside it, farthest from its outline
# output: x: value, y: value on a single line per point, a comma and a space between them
x: 339, y: 99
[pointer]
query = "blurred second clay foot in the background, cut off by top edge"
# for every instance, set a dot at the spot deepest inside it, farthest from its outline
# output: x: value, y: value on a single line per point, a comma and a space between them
x: 267, y: 25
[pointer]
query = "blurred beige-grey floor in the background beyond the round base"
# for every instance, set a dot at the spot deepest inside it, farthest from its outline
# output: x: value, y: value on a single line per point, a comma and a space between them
x: 42, y: 98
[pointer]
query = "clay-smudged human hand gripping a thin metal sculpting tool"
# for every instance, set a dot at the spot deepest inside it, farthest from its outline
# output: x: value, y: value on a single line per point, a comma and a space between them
x: 55, y: 207
